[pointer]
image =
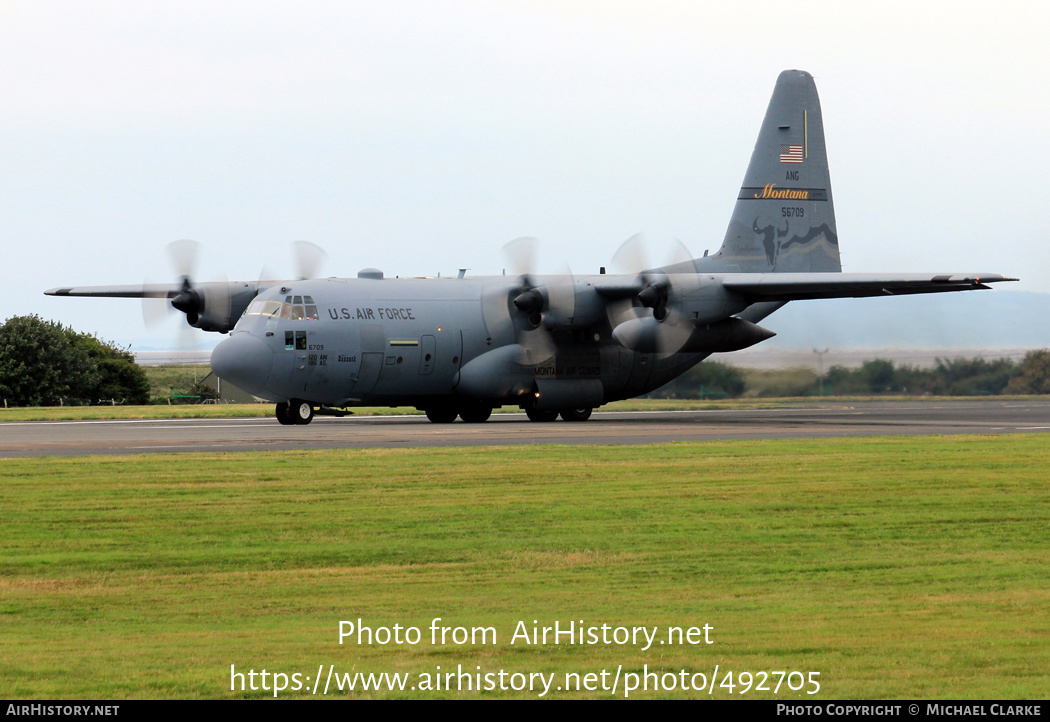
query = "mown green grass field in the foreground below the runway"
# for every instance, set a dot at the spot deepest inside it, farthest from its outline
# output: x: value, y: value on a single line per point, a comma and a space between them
x: 894, y: 567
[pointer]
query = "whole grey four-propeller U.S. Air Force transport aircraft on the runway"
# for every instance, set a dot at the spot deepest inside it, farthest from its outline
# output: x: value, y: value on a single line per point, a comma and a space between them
x: 550, y: 345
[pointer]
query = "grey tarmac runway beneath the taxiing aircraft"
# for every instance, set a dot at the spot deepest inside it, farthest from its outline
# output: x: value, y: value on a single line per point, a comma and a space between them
x: 802, y: 421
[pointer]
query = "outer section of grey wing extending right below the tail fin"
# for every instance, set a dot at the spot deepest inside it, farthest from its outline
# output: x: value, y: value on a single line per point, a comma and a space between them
x: 790, y: 287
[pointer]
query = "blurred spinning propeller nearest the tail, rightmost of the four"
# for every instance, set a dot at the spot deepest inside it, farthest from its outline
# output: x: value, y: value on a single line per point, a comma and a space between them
x: 667, y: 329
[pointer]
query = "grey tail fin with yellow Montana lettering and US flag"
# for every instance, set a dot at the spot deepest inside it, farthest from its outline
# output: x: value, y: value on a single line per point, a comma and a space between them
x: 785, y: 219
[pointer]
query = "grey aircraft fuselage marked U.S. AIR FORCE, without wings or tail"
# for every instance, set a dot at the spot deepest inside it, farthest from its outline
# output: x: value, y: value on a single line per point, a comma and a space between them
x: 423, y: 342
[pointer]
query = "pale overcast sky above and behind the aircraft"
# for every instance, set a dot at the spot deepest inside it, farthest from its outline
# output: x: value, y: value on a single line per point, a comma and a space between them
x: 422, y: 137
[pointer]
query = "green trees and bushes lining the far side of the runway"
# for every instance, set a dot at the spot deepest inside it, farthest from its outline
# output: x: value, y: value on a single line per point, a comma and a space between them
x: 44, y: 364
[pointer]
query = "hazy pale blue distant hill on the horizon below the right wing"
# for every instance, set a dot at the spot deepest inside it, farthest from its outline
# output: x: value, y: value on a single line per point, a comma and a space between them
x: 978, y: 320
